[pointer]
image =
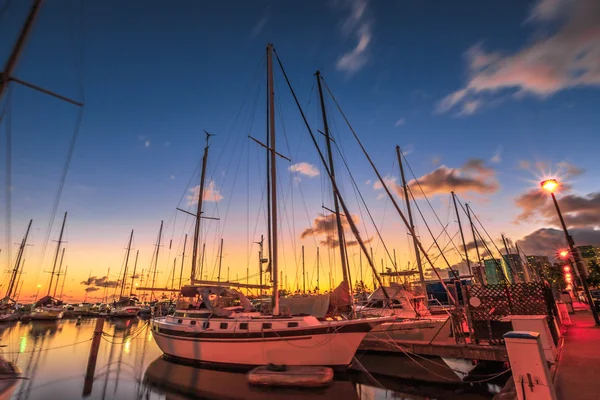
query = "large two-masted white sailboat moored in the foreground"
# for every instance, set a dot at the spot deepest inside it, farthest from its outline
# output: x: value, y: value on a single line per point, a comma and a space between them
x: 207, y: 331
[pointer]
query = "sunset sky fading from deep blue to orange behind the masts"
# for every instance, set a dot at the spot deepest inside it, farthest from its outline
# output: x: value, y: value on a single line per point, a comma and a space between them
x: 156, y: 75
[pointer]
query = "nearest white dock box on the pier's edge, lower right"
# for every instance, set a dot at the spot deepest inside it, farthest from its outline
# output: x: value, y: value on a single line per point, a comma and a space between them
x: 529, y: 367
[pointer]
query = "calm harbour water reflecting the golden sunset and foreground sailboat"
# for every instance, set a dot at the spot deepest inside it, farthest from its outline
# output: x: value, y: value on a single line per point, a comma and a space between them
x: 54, y: 355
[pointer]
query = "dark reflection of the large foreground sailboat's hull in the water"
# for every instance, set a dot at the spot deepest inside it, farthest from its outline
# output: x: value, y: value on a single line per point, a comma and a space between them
x: 166, y: 376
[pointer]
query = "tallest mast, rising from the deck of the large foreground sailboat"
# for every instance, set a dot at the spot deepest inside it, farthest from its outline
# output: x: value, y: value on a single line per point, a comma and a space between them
x: 273, y: 178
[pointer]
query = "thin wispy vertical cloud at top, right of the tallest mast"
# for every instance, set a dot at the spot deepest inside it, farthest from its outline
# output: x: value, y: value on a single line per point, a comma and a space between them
x: 355, y: 23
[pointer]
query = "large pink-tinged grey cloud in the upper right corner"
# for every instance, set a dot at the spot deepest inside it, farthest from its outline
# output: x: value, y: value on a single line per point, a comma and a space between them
x: 568, y: 58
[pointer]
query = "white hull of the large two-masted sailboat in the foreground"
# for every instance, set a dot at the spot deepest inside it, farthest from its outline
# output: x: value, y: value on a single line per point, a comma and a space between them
x: 330, y: 344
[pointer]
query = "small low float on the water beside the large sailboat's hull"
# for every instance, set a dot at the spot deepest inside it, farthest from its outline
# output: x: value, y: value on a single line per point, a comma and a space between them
x: 299, y: 376
